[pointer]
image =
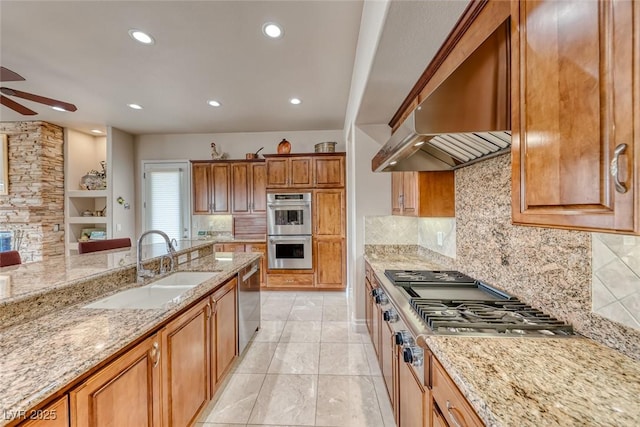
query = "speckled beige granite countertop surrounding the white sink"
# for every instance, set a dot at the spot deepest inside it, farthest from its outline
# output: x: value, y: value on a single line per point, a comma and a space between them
x: 41, y: 356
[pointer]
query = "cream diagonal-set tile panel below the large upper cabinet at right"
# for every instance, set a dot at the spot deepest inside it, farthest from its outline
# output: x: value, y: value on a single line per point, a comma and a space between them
x: 616, y: 278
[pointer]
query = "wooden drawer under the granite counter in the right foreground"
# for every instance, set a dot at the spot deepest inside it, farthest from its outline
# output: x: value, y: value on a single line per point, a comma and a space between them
x: 452, y: 404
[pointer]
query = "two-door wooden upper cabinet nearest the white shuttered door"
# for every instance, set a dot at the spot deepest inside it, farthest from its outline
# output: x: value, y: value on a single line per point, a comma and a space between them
x: 211, y: 188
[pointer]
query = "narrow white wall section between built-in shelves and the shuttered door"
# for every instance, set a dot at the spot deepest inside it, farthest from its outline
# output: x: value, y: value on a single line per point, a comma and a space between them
x: 120, y: 169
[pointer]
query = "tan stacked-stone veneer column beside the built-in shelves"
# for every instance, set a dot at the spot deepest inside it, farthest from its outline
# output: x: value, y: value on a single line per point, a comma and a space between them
x: 36, y: 188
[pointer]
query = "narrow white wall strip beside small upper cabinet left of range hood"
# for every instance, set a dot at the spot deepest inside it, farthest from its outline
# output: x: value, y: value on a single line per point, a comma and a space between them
x: 369, y: 195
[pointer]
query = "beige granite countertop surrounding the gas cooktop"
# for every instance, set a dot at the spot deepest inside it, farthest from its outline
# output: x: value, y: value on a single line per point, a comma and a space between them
x: 526, y: 381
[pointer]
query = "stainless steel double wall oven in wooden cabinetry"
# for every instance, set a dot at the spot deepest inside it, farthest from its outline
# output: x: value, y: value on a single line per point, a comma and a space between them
x: 289, y: 231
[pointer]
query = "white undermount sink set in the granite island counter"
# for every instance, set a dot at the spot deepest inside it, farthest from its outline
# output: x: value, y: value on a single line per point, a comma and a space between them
x: 156, y: 294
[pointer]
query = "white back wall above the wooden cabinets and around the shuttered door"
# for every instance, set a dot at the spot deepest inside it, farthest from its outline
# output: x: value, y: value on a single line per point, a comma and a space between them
x: 198, y: 147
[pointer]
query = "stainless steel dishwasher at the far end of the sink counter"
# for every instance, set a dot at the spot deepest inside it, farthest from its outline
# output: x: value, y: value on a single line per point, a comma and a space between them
x: 248, y: 304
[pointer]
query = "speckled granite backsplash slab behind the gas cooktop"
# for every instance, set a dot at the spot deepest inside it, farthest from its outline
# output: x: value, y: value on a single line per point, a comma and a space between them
x: 550, y: 269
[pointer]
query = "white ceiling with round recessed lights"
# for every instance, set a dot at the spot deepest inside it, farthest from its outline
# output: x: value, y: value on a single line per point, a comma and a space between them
x: 80, y: 52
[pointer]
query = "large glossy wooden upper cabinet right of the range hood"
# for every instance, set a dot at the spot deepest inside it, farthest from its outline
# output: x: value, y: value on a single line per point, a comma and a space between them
x: 575, y: 106
